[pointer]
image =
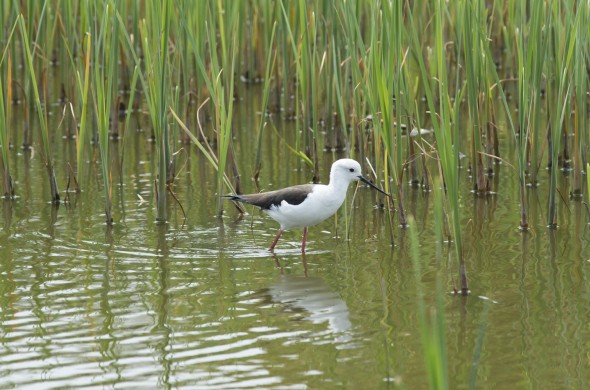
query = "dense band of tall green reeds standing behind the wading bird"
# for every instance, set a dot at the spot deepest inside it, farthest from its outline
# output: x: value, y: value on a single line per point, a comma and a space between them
x: 411, y: 88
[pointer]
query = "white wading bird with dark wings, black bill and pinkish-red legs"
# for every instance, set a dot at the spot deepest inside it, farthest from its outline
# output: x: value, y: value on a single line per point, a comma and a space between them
x: 306, y: 205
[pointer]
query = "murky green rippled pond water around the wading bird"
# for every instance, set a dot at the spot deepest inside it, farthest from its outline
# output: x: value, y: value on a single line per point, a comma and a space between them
x: 204, y: 305
